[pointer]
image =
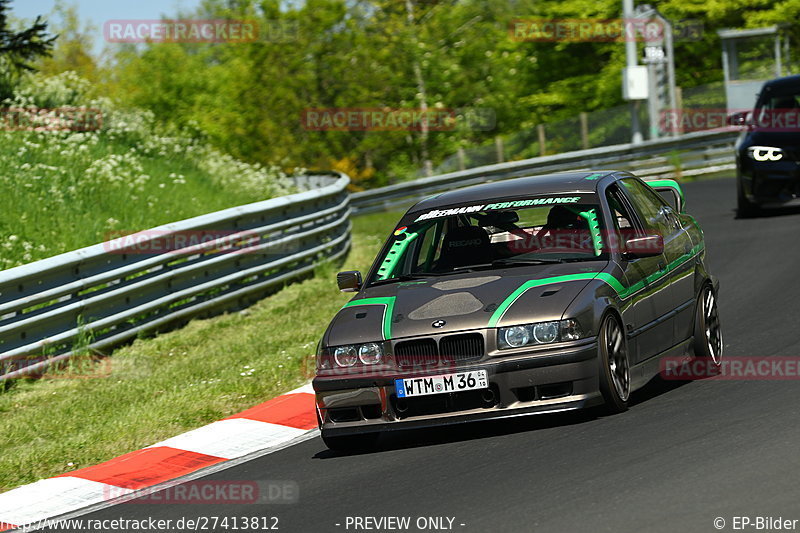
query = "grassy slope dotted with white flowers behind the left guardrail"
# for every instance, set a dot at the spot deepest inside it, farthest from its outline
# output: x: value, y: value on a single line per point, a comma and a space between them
x: 56, y: 198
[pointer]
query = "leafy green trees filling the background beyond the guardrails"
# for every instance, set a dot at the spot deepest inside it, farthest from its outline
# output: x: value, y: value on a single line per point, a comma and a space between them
x: 453, y: 54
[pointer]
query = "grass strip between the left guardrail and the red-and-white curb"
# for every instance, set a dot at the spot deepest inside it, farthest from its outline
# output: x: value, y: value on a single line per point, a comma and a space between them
x: 159, y: 387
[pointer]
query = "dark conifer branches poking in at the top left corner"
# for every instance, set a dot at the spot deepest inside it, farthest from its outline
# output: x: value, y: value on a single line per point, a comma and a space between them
x: 18, y: 49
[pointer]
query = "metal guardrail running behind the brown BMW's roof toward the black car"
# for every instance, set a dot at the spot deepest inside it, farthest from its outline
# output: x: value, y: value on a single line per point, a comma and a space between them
x: 691, y: 154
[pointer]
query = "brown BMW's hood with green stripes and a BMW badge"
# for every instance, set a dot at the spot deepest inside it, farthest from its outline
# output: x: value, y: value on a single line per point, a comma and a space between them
x: 461, y: 302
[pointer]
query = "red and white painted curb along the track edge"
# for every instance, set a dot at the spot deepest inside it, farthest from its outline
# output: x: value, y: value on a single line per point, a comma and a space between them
x: 270, y: 425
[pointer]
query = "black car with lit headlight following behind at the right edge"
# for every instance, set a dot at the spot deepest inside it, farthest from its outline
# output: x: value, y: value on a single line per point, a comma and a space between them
x: 768, y: 150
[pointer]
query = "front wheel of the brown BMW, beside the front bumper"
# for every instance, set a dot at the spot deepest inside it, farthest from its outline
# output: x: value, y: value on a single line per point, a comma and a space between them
x: 615, y: 379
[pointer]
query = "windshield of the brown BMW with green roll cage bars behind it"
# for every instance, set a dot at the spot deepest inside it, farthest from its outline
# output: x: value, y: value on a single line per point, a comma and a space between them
x: 435, y: 246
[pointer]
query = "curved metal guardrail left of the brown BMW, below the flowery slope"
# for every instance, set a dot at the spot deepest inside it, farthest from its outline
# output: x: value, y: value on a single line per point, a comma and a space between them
x: 109, y: 293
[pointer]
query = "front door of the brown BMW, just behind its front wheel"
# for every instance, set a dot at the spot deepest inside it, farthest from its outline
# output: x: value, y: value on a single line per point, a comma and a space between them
x: 646, y: 292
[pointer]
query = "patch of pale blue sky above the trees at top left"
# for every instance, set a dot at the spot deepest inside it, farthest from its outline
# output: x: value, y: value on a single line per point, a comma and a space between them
x: 98, y: 11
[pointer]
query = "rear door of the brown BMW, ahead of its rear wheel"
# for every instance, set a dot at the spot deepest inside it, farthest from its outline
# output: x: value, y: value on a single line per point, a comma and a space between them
x: 677, y: 272
